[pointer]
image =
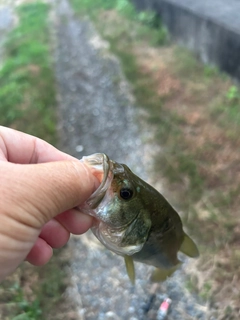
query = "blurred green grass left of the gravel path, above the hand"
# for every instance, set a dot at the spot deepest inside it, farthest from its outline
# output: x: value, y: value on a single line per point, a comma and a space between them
x: 27, y: 93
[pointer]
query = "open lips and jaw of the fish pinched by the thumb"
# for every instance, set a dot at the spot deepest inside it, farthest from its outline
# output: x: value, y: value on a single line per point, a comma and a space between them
x: 102, y: 168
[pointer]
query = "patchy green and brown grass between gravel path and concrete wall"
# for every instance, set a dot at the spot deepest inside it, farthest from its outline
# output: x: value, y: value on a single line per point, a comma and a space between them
x: 194, y: 113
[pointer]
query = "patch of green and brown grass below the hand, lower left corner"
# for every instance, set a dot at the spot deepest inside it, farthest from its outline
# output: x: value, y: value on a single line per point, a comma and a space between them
x: 34, y: 293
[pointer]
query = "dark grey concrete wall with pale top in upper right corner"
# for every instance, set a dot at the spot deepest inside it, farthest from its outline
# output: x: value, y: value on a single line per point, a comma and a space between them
x: 210, y: 28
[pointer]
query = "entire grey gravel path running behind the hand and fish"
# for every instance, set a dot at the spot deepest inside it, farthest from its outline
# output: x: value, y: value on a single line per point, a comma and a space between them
x: 96, y: 114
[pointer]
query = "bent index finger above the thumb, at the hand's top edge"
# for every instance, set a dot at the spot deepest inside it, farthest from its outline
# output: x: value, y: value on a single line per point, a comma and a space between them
x: 19, y: 147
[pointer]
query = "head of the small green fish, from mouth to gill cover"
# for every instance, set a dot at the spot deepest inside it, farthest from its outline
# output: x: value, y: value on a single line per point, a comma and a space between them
x: 121, y: 223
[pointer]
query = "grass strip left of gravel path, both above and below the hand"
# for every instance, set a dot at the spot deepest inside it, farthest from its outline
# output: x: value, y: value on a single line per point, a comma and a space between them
x: 27, y: 103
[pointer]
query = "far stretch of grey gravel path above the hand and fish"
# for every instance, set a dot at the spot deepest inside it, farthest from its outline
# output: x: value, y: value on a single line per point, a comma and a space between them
x: 95, y: 114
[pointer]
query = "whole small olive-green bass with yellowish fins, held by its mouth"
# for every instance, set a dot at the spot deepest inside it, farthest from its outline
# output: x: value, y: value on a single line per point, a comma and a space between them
x: 134, y: 220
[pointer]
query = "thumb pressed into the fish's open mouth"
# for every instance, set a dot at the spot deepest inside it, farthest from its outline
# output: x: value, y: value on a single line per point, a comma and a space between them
x: 38, y: 192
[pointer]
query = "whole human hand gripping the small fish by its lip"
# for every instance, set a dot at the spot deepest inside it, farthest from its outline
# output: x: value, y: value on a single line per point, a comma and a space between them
x: 39, y: 187
